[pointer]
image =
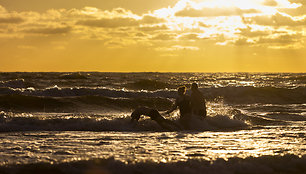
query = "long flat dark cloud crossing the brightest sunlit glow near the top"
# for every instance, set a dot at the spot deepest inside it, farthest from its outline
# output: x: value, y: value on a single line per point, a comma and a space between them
x: 212, y: 12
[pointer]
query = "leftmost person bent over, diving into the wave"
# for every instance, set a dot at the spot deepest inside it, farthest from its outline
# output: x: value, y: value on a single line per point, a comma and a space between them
x: 154, y: 115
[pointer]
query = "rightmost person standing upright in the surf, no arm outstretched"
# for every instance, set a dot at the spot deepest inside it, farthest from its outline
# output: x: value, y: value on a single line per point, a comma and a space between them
x: 197, y: 101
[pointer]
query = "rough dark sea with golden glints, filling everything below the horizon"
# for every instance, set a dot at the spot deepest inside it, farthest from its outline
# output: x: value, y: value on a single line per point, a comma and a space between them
x: 79, y: 122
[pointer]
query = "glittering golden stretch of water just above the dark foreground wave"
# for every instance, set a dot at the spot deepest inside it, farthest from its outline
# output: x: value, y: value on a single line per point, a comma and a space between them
x: 32, y: 147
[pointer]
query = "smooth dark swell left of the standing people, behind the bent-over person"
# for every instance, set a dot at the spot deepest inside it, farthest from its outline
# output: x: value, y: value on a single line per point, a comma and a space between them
x: 26, y: 103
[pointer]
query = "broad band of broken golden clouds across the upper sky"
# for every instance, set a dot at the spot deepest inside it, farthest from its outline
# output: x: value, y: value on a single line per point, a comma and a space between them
x: 188, y: 24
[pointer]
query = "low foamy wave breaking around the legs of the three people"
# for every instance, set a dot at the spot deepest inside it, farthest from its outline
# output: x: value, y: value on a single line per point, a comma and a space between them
x: 11, y: 123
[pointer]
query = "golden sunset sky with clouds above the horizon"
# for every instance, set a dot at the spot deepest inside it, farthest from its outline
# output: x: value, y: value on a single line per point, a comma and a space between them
x: 153, y: 35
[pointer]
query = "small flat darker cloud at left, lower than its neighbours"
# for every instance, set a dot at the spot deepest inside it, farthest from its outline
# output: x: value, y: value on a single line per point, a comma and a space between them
x: 49, y: 30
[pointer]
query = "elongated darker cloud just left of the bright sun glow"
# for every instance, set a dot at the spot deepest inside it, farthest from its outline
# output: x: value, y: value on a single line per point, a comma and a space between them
x: 109, y: 23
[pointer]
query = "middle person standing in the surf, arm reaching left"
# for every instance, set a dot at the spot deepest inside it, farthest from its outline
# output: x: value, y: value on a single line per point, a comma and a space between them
x: 184, y: 105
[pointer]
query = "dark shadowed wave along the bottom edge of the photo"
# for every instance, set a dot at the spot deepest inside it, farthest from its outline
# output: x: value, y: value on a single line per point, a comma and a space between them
x: 287, y: 164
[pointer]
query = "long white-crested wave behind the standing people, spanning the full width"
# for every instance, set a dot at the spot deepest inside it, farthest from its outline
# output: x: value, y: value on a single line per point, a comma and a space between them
x: 229, y: 94
